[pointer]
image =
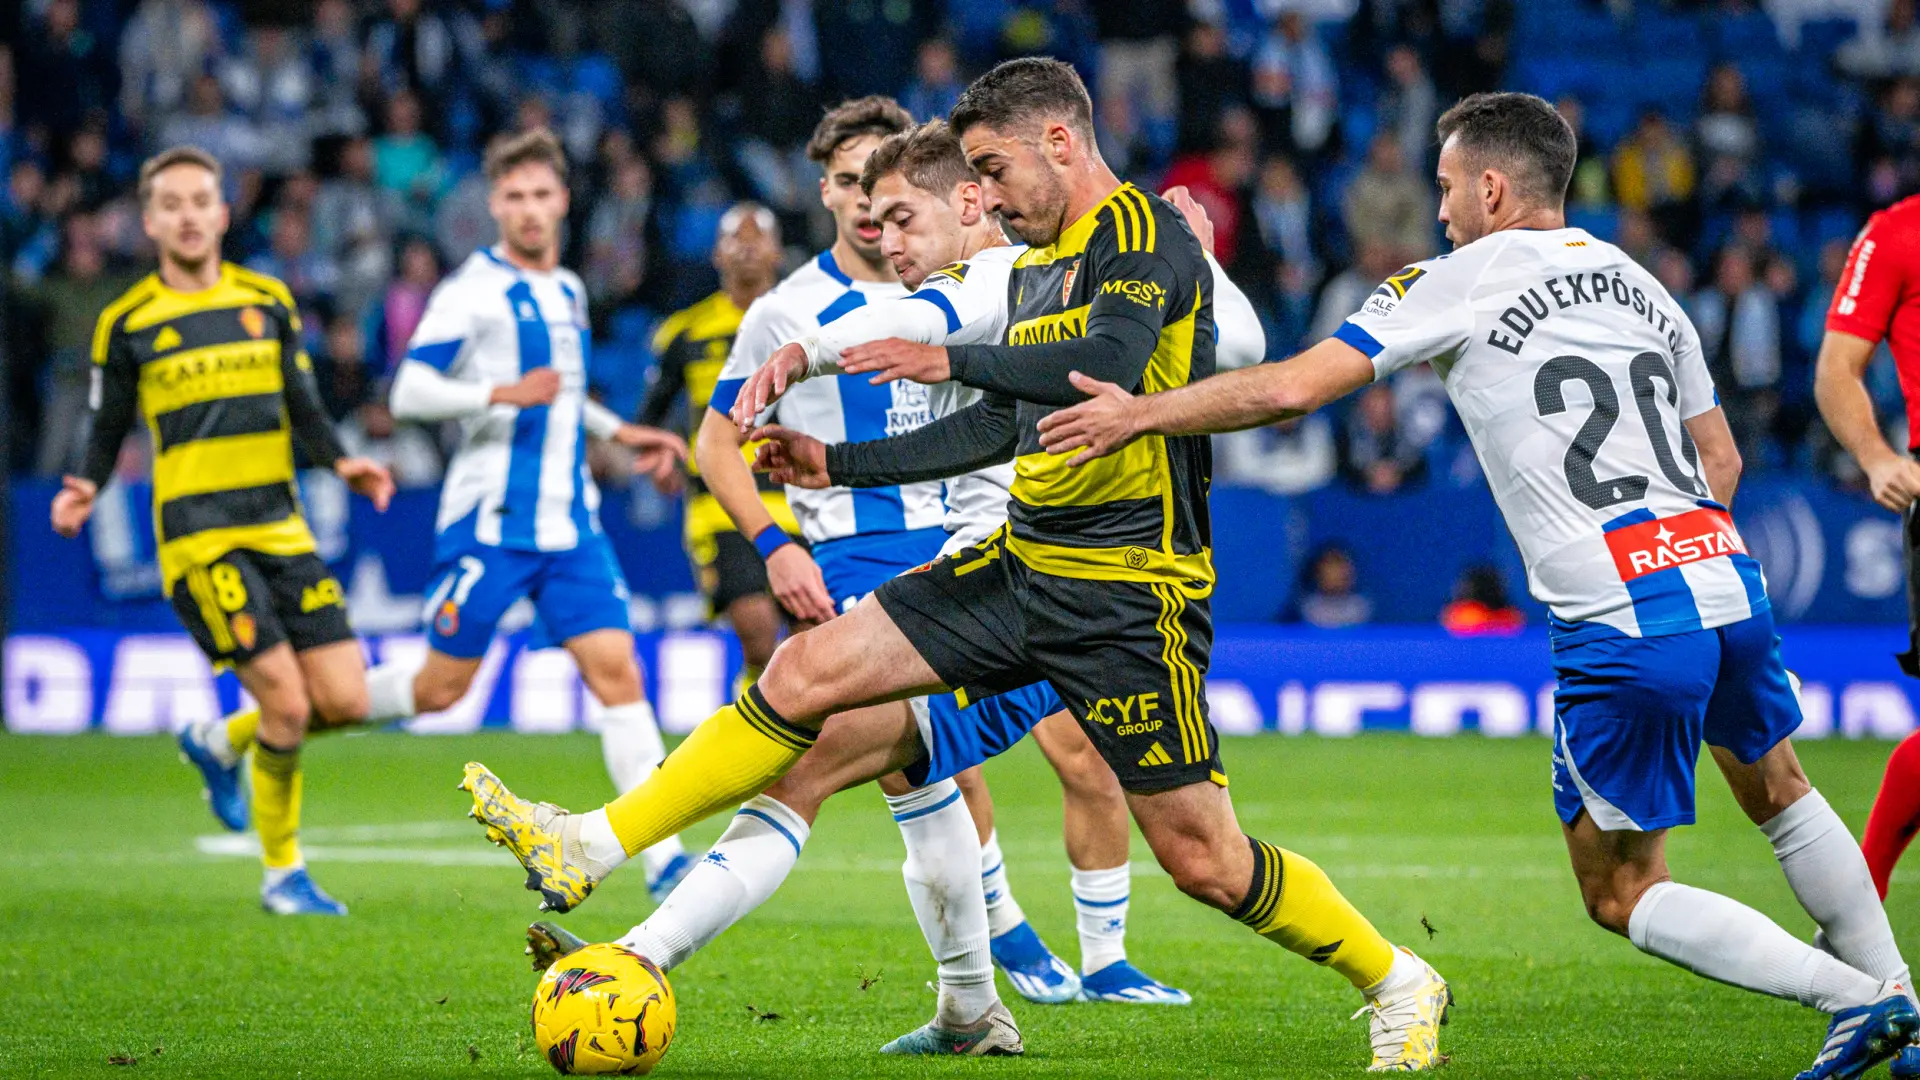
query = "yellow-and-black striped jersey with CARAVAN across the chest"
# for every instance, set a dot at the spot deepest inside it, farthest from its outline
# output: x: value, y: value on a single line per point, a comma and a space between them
x: 222, y: 380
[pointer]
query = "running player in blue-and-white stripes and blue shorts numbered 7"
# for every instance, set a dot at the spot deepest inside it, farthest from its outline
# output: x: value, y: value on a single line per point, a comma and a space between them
x: 504, y: 349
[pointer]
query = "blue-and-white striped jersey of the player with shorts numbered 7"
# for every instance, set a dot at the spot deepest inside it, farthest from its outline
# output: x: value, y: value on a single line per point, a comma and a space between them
x: 521, y: 474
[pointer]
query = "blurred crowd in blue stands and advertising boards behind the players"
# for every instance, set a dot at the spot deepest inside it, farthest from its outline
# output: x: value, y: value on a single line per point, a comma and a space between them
x: 1731, y: 147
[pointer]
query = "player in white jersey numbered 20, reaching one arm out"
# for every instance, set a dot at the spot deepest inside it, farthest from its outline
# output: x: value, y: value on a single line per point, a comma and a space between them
x: 1583, y: 387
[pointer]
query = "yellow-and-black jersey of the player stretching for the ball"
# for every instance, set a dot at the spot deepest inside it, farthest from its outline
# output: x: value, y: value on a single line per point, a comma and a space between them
x: 1124, y: 295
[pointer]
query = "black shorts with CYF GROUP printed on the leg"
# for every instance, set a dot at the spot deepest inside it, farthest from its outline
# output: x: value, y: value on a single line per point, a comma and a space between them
x: 1128, y: 658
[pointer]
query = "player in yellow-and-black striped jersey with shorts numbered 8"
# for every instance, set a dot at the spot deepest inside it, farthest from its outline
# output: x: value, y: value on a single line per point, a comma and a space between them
x: 210, y: 356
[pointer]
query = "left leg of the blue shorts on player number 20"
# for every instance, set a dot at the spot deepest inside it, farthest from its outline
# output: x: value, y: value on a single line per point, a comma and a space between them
x: 1627, y: 727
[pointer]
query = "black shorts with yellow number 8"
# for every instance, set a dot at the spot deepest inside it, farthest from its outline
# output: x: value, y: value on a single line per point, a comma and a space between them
x: 247, y: 602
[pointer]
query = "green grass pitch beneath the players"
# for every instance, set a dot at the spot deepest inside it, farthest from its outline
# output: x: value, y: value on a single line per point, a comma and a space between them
x: 130, y: 929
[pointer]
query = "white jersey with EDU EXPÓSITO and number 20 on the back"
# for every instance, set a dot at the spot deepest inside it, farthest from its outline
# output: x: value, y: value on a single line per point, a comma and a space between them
x: 1573, y: 372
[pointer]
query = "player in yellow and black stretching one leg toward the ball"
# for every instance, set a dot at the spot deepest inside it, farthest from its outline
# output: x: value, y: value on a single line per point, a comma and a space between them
x: 1099, y: 585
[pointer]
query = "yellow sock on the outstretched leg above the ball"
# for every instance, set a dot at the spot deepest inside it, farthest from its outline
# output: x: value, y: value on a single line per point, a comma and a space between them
x: 731, y: 758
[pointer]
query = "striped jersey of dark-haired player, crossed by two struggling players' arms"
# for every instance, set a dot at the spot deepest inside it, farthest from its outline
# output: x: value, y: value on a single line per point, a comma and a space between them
x: 844, y: 408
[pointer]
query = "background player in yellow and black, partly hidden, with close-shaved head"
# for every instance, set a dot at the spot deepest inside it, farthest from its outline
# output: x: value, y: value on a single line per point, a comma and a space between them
x: 692, y: 349
